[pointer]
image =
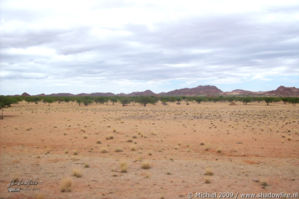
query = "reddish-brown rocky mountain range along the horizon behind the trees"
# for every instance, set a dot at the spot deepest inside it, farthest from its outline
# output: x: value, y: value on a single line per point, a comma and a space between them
x: 199, y: 90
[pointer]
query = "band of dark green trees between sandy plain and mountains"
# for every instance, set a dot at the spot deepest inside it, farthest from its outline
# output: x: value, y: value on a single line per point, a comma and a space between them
x: 6, y: 101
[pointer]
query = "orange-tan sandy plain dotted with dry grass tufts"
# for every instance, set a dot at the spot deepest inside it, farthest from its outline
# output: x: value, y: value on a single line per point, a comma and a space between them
x: 157, y: 151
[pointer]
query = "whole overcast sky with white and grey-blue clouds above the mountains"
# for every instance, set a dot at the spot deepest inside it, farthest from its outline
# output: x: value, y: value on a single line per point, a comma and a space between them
x: 133, y: 45
